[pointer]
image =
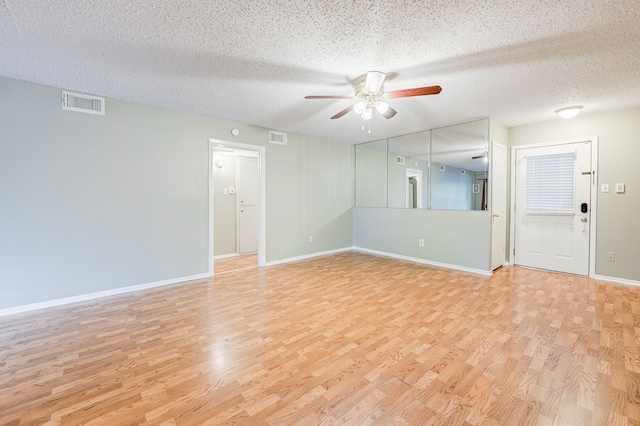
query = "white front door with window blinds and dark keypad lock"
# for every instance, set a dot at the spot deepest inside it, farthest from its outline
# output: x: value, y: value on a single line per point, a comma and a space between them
x: 553, y: 188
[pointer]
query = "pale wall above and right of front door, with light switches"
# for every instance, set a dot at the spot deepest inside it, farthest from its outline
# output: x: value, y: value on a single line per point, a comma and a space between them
x: 618, y: 132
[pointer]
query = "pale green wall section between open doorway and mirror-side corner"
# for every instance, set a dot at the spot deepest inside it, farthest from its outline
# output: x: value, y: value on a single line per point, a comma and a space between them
x: 309, y: 193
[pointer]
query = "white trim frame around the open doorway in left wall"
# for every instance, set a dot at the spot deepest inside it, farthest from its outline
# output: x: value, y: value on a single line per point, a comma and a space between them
x: 262, y: 221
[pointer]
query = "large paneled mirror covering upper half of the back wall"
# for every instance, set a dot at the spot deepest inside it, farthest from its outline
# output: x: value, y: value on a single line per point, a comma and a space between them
x: 444, y: 168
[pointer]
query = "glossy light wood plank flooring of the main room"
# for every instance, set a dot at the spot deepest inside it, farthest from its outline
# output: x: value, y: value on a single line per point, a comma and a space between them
x: 343, y: 339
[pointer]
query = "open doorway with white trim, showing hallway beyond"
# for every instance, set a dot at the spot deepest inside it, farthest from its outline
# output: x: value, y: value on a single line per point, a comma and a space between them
x: 236, y: 206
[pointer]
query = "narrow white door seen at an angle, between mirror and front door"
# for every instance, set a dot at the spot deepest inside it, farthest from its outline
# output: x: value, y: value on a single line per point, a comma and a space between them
x: 498, y: 181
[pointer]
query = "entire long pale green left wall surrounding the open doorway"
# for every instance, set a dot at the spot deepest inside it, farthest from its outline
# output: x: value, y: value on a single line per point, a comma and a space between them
x: 94, y: 203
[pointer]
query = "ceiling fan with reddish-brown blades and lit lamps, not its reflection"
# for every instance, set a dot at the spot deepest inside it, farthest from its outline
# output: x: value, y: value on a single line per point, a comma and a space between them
x: 371, y: 95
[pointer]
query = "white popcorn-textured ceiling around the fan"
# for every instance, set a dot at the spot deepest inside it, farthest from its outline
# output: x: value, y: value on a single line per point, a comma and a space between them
x: 254, y: 61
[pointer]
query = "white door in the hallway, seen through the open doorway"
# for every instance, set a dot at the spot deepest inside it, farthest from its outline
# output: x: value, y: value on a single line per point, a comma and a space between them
x: 247, y: 189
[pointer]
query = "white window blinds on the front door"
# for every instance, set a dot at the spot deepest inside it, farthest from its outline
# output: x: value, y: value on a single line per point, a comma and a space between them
x: 550, y: 184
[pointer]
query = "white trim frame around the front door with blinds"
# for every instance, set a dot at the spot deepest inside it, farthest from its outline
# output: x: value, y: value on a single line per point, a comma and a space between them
x: 594, y: 196
